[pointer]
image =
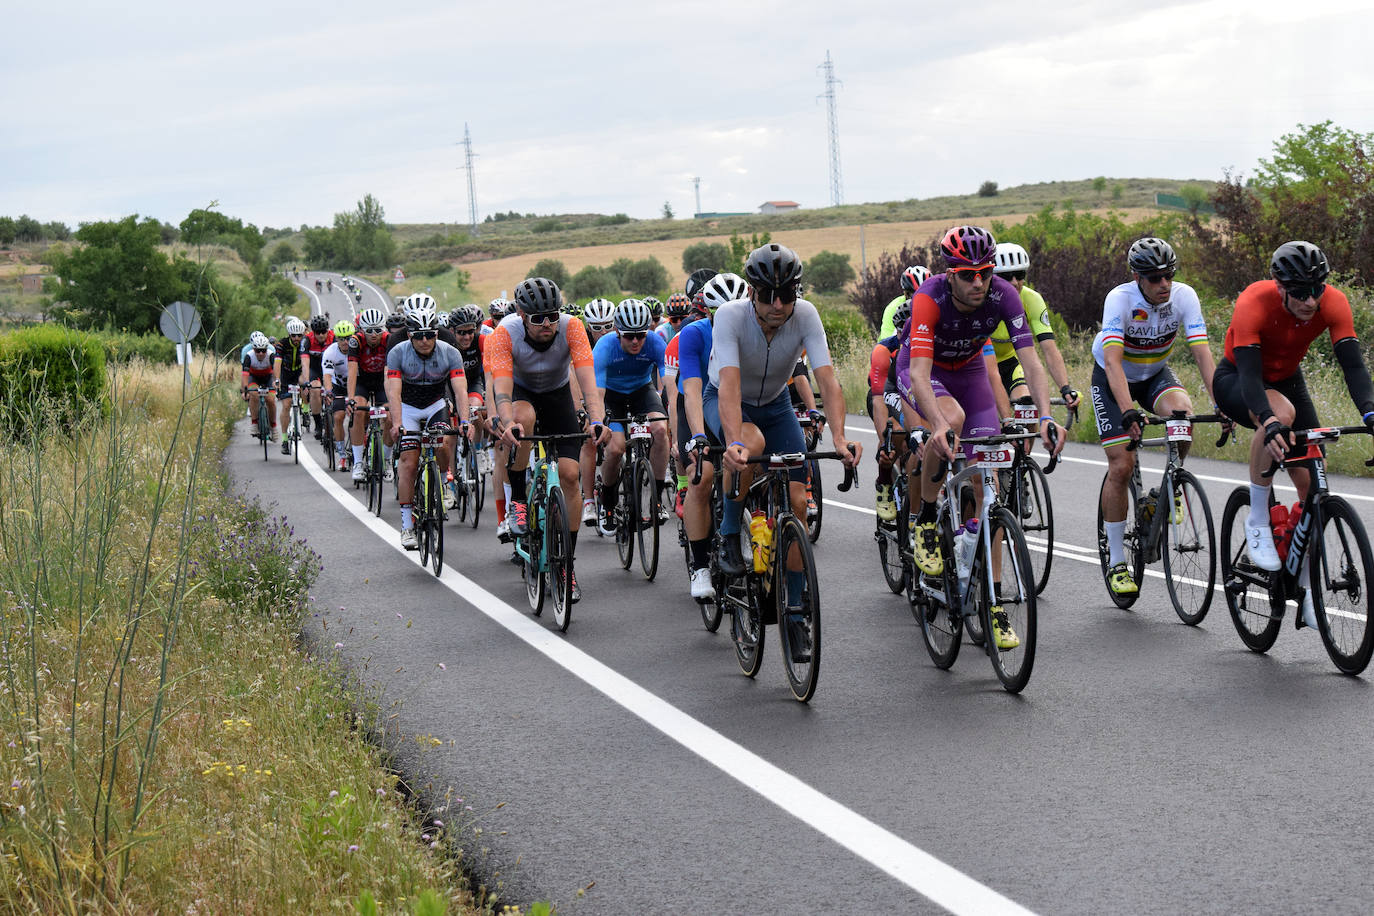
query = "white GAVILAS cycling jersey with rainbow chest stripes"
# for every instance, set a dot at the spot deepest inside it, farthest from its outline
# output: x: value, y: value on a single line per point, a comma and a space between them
x: 1148, y: 333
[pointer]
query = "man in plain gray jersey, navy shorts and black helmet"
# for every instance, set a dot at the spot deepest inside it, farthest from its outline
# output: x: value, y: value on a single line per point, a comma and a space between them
x: 755, y: 345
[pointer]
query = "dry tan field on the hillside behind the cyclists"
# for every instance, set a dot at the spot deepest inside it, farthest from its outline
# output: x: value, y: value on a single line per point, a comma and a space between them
x: 493, y: 278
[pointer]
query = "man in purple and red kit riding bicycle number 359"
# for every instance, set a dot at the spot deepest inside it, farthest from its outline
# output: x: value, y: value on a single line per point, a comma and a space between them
x: 946, y: 378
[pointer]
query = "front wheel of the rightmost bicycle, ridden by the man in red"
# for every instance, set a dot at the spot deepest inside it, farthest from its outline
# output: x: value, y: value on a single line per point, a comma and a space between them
x: 1343, y: 572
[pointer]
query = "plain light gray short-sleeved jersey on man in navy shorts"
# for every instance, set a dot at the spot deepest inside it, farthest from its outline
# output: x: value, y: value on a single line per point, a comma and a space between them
x: 765, y: 366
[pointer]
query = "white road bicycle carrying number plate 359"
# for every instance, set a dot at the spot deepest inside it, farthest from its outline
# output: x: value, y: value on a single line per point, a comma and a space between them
x: 1000, y: 573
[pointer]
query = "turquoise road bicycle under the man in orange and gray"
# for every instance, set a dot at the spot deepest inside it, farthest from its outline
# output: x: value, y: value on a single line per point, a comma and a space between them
x: 546, y: 550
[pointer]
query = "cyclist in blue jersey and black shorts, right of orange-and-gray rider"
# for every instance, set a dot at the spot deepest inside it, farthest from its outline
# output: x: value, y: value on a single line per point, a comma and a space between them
x: 629, y: 366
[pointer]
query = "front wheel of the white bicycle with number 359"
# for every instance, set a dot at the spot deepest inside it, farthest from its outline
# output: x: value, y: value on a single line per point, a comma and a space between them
x: 1013, y: 590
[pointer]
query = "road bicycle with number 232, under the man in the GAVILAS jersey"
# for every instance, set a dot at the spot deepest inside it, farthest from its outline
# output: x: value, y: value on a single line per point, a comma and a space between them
x: 1171, y: 524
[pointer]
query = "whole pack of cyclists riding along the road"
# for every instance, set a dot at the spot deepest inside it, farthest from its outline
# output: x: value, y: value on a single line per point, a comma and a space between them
x: 721, y: 370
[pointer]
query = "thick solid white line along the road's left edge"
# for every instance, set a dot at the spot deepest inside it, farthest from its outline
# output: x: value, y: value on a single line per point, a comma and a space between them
x: 912, y: 866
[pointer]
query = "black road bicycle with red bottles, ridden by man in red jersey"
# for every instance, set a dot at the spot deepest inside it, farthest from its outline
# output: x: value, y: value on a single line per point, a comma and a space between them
x: 1338, y: 565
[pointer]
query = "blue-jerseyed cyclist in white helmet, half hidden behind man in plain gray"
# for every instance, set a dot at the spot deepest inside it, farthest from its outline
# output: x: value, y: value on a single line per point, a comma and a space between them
x: 693, y: 435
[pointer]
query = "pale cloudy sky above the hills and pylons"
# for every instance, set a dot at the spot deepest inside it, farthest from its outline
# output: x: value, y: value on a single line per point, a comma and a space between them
x: 289, y: 112
